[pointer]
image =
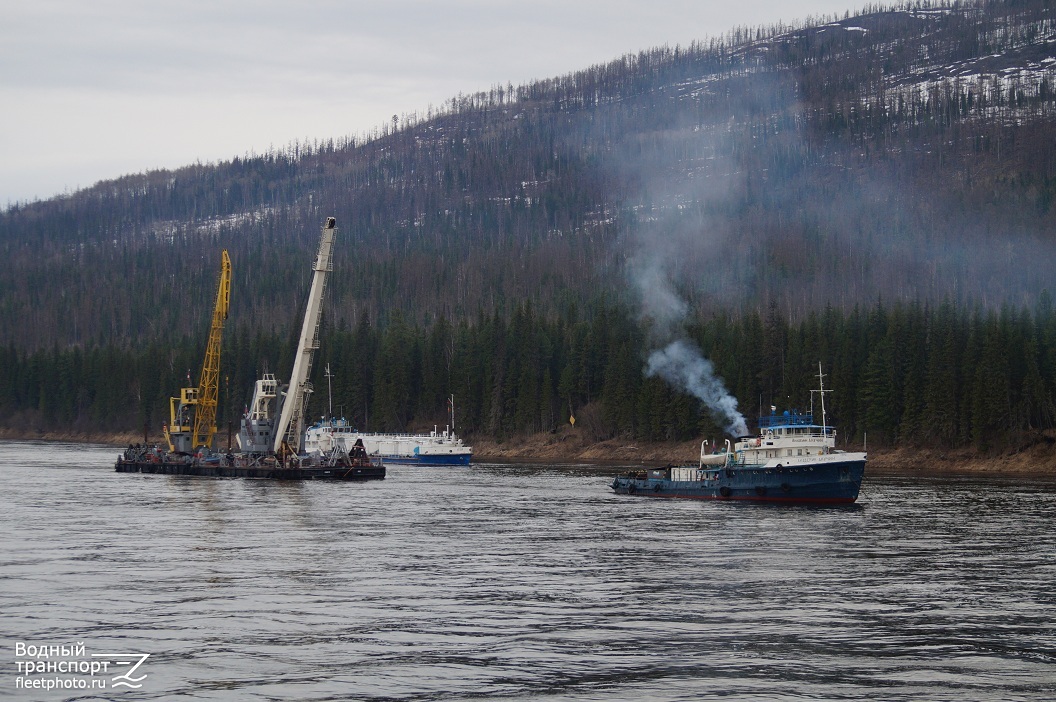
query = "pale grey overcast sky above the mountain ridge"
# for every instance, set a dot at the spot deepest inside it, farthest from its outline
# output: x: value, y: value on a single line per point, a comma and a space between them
x: 98, y: 89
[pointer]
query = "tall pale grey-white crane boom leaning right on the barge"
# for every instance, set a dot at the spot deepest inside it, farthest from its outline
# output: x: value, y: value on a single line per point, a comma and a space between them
x: 291, y: 428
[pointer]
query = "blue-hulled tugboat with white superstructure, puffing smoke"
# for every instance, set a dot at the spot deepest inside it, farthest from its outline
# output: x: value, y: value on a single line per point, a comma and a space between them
x: 793, y: 461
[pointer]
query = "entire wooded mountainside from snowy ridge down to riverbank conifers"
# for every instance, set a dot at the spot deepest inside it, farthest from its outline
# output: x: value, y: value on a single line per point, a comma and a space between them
x: 876, y: 194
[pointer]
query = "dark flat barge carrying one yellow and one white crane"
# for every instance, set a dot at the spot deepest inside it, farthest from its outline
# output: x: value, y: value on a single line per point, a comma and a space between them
x: 273, y: 433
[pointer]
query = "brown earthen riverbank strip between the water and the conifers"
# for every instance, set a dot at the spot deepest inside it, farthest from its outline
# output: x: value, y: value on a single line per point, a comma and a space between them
x: 571, y: 447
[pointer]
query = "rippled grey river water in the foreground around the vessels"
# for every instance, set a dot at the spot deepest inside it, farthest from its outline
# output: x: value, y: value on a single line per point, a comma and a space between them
x: 515, y: 581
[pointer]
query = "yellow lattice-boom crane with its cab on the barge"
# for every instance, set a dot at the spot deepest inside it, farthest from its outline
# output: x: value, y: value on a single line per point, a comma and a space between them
x: 193, y: 416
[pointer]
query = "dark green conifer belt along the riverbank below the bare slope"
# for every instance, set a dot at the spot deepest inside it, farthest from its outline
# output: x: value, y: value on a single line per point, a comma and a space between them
x: 907, y: 374
